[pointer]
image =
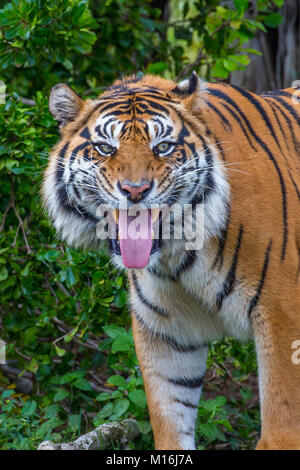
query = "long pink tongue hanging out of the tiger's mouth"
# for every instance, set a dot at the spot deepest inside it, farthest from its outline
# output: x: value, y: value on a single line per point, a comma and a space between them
x: 135, y: 238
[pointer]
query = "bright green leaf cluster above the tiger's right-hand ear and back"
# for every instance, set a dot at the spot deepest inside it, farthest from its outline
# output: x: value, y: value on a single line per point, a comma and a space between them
x: 221, y: 33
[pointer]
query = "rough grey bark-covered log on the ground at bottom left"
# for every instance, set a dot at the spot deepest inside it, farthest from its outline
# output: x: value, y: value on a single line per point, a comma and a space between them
x: 103, y: 437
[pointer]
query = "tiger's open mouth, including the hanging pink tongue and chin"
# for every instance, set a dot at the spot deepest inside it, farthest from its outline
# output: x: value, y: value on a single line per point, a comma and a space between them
x: 135, y: 237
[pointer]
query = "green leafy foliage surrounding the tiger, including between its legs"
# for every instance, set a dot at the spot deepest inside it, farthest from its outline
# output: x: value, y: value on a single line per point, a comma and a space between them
x: 63, y: 313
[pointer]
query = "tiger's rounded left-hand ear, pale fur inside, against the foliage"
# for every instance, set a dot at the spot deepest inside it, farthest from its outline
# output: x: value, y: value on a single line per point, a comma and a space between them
x: 64, y: 104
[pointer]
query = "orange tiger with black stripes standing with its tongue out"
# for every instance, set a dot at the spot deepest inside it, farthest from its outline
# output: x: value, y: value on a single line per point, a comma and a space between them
x: 228, y: 154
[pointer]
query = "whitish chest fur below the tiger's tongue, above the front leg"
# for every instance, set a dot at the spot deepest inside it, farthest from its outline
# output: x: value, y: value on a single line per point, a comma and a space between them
x: 186, y: 307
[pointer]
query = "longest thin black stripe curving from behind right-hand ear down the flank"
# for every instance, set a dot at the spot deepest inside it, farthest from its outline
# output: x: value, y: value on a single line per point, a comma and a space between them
x: 264, y: 146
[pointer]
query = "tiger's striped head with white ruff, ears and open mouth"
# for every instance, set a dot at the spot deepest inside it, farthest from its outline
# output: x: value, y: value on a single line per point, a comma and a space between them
x: 141, y: 144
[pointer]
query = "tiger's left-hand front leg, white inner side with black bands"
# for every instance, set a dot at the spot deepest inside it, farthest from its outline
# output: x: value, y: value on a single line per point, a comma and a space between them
x: 173, y: 376
